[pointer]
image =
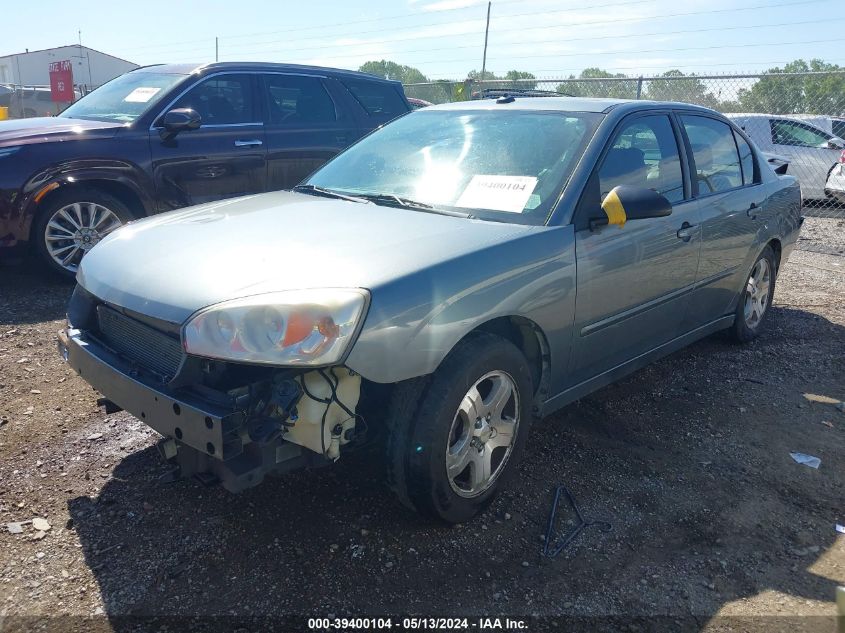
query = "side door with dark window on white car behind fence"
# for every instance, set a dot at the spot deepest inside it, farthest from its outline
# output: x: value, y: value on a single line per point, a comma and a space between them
x: 807, y: 149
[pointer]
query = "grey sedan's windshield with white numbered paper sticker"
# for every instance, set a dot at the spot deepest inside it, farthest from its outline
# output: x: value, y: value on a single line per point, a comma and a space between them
x: 506, y: 165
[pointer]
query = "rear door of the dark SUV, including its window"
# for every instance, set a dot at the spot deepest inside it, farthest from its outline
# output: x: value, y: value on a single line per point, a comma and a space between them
x: 306, y: 125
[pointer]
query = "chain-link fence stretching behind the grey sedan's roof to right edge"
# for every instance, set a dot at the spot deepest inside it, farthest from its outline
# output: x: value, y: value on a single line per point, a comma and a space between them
x: 803, y: 122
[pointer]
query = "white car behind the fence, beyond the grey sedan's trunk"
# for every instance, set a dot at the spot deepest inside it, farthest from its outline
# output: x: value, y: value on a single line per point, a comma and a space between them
x: 812, y: 153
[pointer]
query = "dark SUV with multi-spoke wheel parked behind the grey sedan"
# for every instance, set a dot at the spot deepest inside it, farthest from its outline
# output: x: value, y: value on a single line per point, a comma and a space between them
x: 169, y: 136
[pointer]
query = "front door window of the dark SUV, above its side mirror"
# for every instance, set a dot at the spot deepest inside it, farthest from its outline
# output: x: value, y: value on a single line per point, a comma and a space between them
x: 225, y: 100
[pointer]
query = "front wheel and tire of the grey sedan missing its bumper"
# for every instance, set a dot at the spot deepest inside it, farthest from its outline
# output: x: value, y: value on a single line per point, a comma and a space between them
x: 423, y: 439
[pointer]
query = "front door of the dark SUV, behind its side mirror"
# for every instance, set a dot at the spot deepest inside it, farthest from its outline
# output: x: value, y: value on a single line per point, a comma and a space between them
x: 225, y: 157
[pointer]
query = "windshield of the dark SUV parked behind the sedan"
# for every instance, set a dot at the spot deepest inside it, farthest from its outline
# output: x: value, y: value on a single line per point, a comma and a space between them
x: 123, y: 99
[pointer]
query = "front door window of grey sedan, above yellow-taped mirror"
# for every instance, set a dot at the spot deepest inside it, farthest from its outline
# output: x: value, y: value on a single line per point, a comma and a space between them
x: 644, y: 154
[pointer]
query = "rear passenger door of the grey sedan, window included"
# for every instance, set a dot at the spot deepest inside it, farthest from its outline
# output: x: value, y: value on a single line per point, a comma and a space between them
x: 731, y: 198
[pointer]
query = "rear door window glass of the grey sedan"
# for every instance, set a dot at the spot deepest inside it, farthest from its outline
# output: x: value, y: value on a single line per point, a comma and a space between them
x: 717, y: 164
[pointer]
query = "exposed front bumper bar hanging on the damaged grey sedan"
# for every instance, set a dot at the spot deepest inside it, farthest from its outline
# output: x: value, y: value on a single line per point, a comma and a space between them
x: 202, y: 438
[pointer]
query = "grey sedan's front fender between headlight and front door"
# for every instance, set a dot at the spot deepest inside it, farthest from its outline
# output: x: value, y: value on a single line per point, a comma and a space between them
x: 414, y: 322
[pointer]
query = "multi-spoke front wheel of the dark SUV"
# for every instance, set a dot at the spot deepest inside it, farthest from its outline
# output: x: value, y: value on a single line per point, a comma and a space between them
x: 69, y: 234
